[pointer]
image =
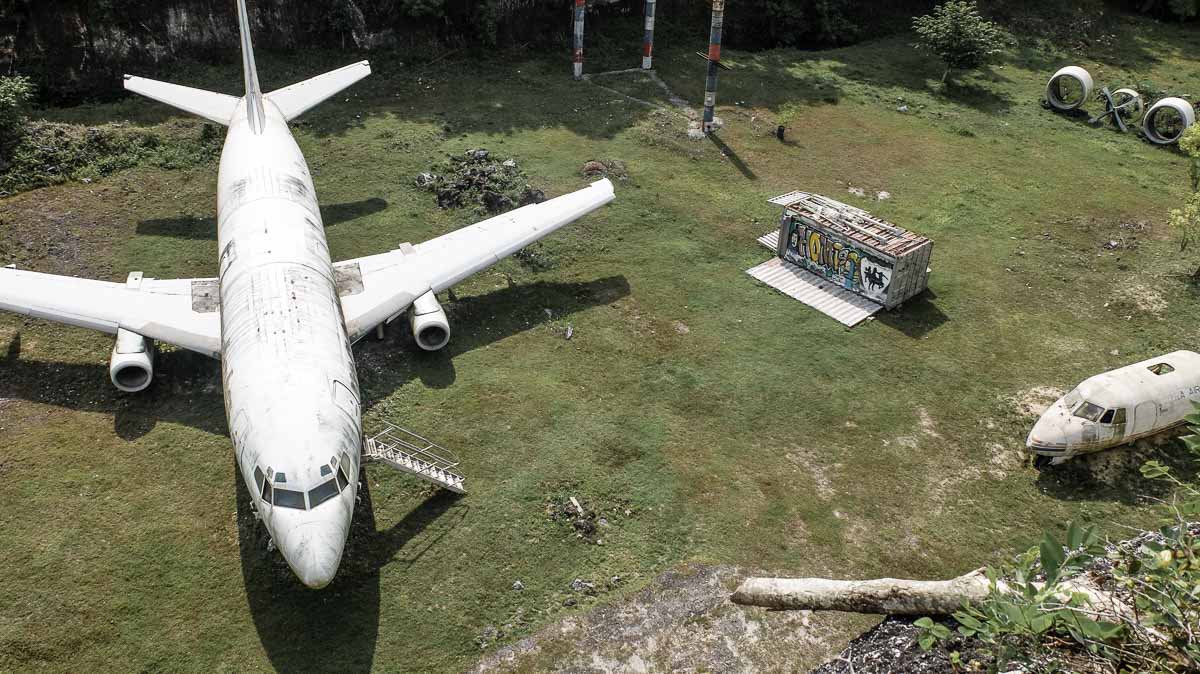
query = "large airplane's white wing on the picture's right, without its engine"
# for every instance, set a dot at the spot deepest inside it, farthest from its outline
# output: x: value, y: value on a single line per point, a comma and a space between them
x: 379, y: 288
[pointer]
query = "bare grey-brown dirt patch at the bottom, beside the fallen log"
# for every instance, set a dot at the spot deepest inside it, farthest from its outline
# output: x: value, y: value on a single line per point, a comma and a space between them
x: 685, y: 623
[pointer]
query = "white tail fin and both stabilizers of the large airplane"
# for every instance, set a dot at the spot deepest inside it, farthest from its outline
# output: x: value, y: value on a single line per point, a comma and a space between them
x: 292, y: 101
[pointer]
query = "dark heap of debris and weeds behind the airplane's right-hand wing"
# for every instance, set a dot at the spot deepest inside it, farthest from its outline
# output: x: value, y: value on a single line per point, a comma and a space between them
x: 478, y: 178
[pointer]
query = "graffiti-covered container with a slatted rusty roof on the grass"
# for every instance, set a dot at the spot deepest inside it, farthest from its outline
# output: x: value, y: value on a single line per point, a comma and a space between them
x: 853, y: 249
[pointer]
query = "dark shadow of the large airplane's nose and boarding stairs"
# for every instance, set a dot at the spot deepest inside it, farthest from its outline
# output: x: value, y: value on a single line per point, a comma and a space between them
x: 334, y: 629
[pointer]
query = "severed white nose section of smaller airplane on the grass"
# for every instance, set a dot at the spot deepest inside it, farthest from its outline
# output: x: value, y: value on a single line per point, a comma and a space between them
x: 1119, y: 407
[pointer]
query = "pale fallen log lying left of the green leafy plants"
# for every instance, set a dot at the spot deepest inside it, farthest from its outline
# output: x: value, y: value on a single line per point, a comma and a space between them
x: 887, y: 597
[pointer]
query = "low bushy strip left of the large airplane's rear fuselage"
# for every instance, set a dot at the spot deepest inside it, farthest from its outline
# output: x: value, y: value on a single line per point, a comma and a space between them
x: 51, y: 153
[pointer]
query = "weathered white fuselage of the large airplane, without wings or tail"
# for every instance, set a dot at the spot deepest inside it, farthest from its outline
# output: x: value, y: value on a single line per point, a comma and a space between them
x: 292, y: 393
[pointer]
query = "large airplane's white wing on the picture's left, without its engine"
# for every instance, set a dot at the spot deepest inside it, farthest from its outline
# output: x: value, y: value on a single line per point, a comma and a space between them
x: 182, y: 312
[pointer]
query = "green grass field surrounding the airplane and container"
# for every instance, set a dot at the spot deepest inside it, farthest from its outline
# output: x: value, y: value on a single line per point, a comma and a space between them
x: 707, y: 417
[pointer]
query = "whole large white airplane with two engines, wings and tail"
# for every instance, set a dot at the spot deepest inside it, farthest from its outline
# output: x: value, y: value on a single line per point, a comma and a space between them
x: 281, y: 316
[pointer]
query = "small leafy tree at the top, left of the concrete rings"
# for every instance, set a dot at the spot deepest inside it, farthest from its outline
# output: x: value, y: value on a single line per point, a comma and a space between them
x: 959, y: 37
